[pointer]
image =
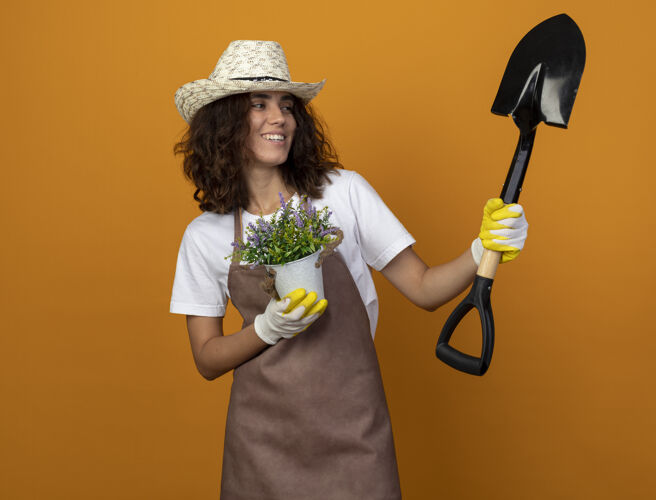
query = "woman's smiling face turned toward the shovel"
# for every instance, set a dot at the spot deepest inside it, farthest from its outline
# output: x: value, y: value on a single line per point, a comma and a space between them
x: 272, y: 127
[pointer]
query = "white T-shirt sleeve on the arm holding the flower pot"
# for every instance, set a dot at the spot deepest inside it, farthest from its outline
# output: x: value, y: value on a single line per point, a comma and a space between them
x: 197, y: 286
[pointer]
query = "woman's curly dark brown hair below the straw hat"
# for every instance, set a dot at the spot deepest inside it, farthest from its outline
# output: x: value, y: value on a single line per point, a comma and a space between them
x: 214, y: 150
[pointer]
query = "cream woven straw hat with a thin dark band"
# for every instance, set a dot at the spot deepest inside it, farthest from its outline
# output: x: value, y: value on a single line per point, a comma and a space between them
x: 245, y: 66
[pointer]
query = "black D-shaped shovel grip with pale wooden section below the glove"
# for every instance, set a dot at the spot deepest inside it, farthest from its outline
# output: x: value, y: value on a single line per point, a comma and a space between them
x: 479, y: 298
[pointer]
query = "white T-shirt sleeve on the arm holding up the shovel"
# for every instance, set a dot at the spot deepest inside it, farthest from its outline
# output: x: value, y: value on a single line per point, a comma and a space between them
x: 381, y: 235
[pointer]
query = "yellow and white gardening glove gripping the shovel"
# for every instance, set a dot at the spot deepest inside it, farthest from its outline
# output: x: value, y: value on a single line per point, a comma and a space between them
x: 504, y: 229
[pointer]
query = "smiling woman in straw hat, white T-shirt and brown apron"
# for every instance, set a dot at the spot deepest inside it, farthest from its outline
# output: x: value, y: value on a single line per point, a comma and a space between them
x: 307, y: 417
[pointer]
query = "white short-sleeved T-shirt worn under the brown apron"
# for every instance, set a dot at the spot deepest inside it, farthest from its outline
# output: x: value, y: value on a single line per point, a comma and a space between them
x: 373, y: 236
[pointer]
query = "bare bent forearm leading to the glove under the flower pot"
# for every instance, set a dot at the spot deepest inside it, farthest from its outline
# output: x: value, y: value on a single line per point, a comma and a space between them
x: 223, y: 353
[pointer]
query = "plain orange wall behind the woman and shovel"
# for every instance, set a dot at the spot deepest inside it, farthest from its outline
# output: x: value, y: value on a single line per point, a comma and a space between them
x: 100, y: 397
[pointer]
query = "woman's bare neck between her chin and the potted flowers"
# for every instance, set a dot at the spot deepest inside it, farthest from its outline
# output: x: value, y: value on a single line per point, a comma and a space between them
x: 264, y: 184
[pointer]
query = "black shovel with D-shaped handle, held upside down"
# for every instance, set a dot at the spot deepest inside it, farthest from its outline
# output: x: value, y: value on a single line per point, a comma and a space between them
x: 539, y: 85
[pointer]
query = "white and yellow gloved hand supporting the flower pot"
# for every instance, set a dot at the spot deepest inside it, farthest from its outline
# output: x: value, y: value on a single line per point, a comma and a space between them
x: 289, y: 316
